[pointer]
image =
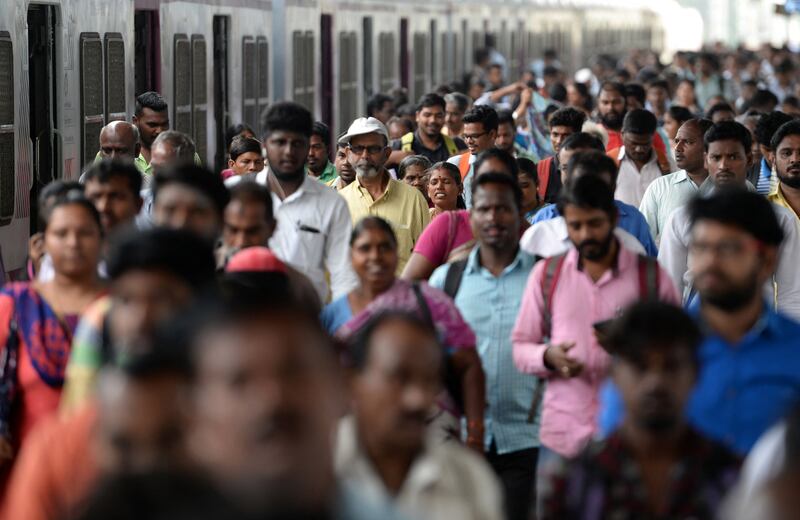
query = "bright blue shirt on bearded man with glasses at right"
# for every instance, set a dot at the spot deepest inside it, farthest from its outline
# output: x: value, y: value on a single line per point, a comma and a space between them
x: 741, y: 390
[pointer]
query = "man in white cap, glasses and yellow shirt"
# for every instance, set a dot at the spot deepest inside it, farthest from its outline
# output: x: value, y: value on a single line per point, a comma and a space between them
x: 376, y: 193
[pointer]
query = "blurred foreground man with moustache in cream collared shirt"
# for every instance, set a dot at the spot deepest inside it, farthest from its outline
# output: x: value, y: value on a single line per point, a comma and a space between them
x: 385, y: 448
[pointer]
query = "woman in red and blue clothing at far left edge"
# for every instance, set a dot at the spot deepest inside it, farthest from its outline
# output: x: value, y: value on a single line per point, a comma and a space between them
x: 38, y: 319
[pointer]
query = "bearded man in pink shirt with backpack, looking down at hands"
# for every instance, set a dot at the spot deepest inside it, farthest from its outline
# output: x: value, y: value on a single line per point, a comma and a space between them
x: 565, y: 296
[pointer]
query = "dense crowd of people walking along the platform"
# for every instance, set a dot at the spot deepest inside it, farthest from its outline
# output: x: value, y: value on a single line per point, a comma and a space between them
x: 521, y: 297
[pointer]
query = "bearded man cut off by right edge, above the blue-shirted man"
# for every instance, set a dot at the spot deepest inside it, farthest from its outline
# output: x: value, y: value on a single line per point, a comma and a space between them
x: 786, y: 159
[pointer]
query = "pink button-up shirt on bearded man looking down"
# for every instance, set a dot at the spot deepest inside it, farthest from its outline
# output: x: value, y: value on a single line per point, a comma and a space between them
x: 570, y: 406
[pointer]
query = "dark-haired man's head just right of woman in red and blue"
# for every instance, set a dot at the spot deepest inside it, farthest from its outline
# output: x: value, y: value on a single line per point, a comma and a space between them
x: 114, y: 188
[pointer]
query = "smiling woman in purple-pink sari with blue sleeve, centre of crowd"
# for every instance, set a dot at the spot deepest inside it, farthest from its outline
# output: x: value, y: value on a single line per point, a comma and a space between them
x: 373, y: 253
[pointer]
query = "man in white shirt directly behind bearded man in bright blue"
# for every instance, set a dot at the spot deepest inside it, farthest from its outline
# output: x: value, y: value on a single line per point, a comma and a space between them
x: 727, y: 156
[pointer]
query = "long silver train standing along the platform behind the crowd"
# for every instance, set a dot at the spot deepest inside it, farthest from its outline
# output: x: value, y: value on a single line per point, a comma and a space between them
x: 68, y: 67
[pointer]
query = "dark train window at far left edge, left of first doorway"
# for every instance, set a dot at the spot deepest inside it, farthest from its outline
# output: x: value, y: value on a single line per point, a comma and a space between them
x: 7, y: 166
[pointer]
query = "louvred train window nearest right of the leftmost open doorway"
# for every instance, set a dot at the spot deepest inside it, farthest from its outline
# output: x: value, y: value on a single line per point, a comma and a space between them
x: 92, y: 113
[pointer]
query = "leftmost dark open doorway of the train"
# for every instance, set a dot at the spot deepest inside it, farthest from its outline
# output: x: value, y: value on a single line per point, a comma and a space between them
x: 42, y: 87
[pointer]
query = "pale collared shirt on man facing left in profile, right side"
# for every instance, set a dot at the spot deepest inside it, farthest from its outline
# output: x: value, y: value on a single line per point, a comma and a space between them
x: 666, y: 194
